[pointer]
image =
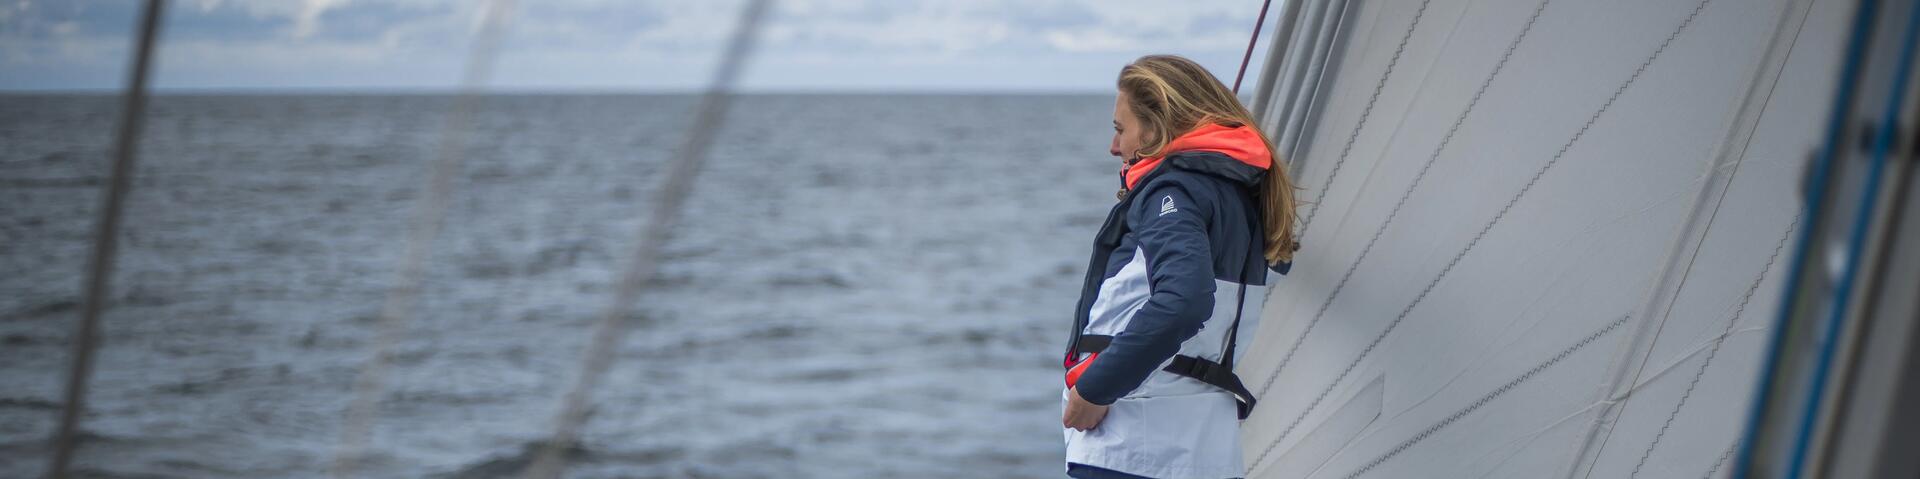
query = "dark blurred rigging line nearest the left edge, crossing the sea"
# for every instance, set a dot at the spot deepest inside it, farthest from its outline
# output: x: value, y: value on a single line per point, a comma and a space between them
x: 107, y: 239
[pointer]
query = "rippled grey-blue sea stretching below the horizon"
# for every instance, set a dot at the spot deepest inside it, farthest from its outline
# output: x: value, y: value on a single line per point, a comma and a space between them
x: 863, y: 286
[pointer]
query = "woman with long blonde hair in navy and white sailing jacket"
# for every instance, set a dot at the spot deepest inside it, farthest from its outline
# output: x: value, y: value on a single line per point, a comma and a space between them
x: 1205, y: 209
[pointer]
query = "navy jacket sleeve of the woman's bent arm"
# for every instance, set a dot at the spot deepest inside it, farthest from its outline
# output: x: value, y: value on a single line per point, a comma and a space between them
x: 1170, y: 228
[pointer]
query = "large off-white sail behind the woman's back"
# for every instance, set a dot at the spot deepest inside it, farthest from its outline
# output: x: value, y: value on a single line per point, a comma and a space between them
x: 1541, y: 238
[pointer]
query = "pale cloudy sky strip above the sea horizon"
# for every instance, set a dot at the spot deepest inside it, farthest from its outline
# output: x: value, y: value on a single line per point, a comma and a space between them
x: 623, y: 45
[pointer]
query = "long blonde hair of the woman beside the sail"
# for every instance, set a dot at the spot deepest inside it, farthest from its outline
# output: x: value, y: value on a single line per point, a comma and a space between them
x: 1172, y: 97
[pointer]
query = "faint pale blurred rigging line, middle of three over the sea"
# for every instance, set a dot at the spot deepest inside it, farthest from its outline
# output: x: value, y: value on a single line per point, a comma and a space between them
x: 429, y: 216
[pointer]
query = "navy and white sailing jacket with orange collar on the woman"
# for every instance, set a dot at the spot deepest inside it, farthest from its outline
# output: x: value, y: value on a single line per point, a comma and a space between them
x: 1176, y: 263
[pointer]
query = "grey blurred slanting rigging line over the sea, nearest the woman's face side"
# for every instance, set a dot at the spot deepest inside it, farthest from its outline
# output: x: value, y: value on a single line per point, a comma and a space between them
x: 679, y: 186
